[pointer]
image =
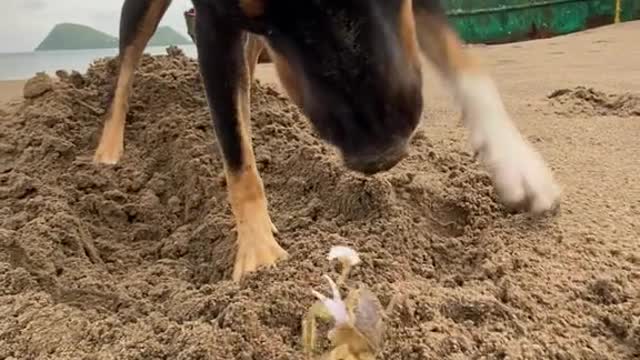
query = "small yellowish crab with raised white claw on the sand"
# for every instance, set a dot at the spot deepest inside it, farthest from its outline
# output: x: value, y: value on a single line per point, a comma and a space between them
x: 358, y: 320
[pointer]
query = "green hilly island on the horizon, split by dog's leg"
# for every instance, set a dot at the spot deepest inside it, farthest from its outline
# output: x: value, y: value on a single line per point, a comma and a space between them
x: 68, y: 36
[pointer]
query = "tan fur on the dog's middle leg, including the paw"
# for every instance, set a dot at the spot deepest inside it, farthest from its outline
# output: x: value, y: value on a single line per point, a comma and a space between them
x: 257, y: 246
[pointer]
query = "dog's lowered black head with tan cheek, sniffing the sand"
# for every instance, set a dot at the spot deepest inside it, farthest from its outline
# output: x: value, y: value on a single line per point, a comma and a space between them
x: 353, y: 67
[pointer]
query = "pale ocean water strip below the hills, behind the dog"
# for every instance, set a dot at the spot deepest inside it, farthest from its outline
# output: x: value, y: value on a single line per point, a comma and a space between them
x: 18, y: 66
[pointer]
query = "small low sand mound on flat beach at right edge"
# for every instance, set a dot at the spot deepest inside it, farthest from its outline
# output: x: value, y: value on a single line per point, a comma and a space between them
x: 591, y: 102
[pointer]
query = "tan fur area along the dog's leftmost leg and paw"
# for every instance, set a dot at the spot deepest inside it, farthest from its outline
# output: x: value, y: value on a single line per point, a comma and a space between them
x: 111, y: 145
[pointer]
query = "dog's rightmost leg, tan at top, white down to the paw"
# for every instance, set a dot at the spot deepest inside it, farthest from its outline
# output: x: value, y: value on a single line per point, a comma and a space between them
x: 520, y: 175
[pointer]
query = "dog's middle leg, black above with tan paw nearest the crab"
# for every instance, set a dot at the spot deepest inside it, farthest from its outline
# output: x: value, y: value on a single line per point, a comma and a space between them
x: 226, y: 69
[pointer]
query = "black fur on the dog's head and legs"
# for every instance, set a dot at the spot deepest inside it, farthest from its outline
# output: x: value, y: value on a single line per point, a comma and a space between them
x: 358, y: 88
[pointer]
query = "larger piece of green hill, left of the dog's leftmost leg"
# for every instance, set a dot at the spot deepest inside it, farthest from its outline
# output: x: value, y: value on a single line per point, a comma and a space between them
x: 74, y: 37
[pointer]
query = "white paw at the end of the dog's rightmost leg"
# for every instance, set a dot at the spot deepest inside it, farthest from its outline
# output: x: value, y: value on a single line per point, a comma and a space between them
x: 520, y: 176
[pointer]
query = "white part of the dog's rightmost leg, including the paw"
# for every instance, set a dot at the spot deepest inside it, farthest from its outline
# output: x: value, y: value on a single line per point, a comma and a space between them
x: 520, y: 175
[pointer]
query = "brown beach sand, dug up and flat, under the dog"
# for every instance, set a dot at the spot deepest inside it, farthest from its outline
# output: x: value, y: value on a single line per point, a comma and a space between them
x: 132, y: 261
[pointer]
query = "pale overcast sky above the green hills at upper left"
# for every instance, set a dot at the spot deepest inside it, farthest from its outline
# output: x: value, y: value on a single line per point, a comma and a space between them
x: 24, y: 23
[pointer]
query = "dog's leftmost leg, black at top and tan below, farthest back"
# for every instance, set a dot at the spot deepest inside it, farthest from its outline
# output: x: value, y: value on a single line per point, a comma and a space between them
x: 139, y: 20
